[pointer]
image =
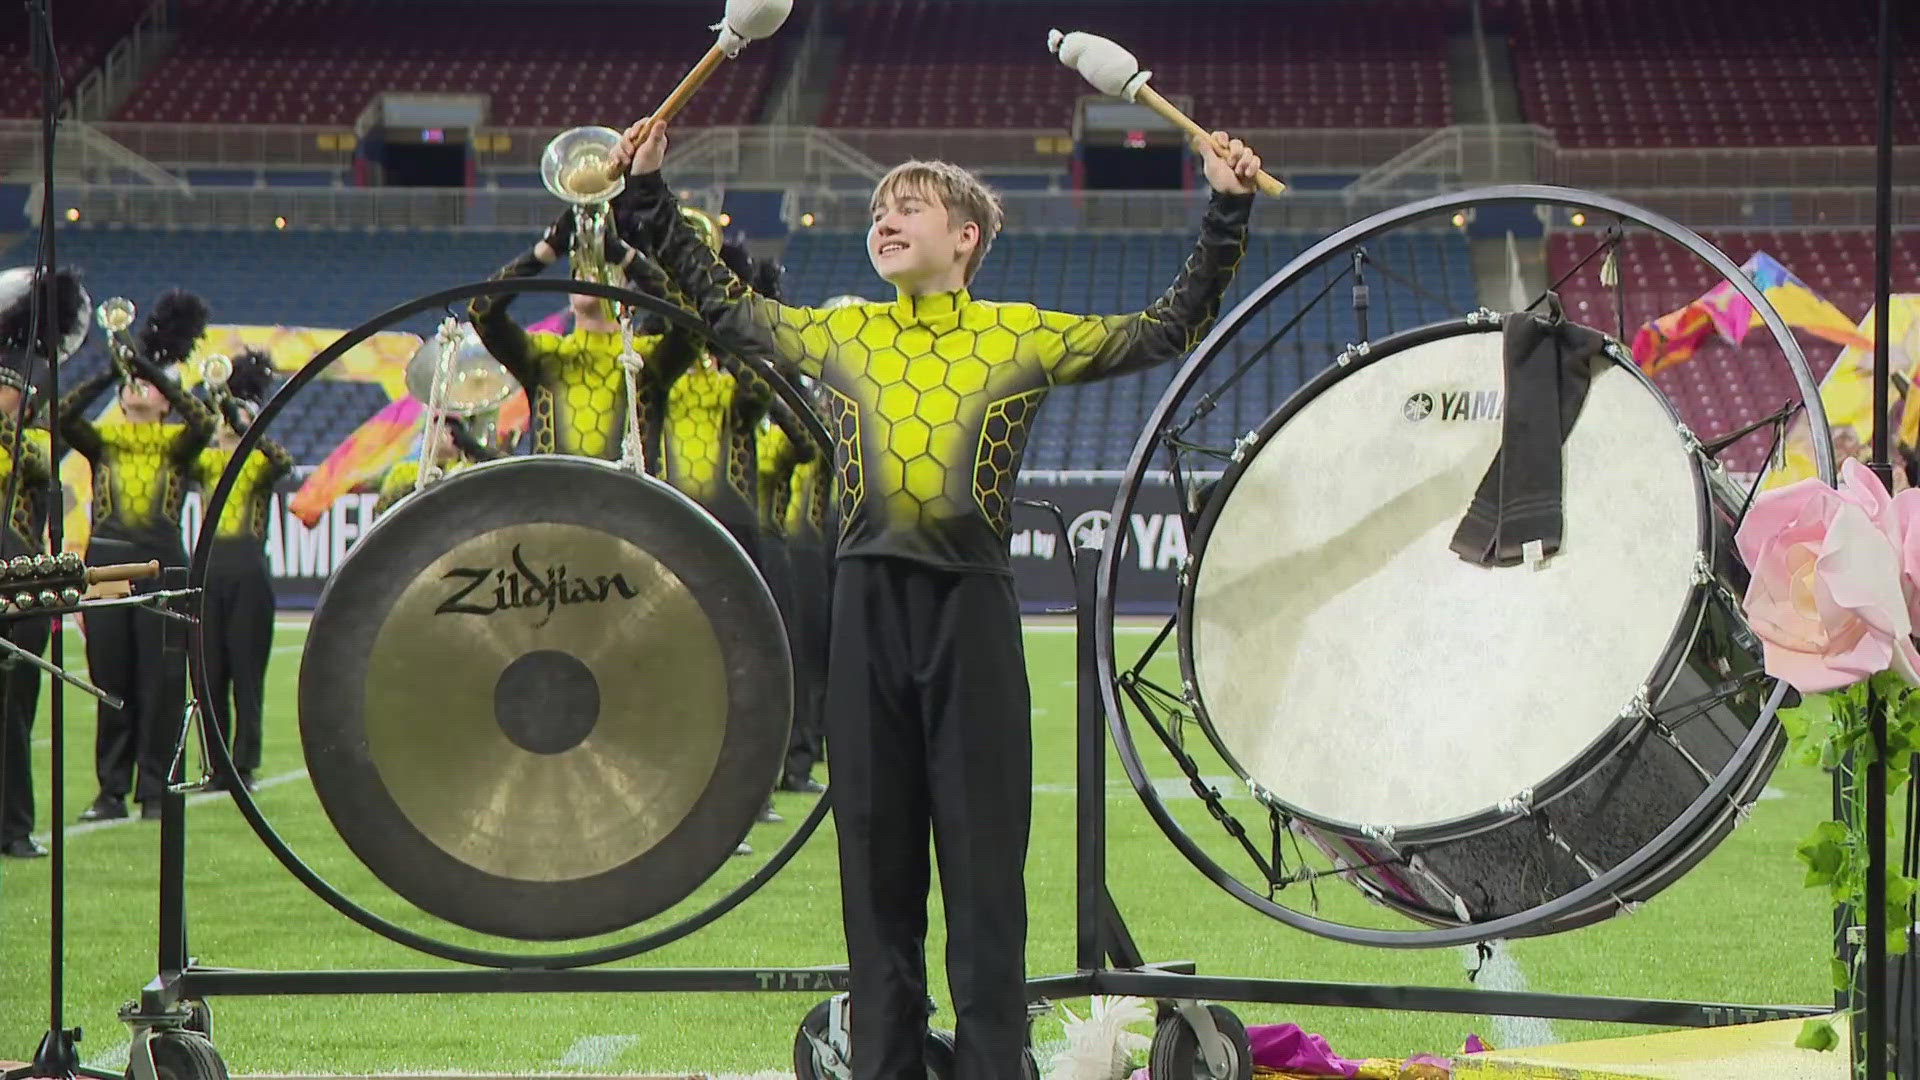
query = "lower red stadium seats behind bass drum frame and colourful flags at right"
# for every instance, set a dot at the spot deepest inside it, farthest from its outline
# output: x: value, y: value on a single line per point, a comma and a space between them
x: 1723, y: 387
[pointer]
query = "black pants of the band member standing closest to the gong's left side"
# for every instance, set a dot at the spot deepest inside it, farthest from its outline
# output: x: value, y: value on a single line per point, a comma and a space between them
x: 239, y: 643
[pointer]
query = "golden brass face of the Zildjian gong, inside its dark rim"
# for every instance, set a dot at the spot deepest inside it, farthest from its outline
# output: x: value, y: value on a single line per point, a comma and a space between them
x: 577, y: 706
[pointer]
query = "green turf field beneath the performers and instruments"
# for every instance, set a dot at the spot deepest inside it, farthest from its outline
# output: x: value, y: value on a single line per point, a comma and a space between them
x: 1739, y: 929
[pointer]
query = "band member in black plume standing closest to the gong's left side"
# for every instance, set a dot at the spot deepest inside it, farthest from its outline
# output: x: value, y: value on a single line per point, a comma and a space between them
x: 237, y: 624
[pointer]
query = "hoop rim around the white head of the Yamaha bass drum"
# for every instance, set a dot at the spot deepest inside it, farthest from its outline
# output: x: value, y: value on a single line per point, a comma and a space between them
x: 1548, y: 789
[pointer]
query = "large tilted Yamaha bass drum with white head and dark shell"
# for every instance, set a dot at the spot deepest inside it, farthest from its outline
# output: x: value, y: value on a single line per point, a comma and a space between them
x: 1474, y: 743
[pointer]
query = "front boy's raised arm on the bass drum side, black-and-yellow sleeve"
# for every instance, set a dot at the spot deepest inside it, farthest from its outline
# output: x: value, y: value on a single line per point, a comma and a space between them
x: 1099, y: 347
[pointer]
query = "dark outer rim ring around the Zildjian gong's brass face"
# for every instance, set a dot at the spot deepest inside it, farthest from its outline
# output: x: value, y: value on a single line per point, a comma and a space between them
x: 738, y: 741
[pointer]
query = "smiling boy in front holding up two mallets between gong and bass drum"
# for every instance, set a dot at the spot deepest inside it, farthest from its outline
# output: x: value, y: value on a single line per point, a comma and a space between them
x: 928, y: 708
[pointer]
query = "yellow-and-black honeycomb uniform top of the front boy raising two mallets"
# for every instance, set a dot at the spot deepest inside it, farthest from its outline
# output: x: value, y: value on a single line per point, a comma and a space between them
x: 932, y: 399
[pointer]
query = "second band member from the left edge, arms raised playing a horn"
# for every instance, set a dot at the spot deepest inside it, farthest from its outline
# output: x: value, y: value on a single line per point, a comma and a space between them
x: 141, y: 472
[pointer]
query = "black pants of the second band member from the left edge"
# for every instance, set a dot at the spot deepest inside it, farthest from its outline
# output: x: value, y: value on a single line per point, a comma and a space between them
x: 128, y: 656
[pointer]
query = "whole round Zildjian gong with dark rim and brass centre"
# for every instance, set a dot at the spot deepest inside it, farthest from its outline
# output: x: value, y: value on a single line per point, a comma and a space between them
x: 544, y: 699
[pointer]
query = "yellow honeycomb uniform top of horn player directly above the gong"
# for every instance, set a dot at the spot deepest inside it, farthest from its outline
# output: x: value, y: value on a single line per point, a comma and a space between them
x: 575, y: 385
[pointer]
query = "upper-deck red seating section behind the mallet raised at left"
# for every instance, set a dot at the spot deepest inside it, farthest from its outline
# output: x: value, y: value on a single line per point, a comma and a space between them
x: 544, y: 64
